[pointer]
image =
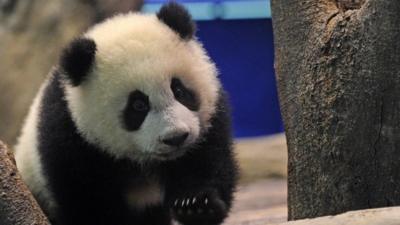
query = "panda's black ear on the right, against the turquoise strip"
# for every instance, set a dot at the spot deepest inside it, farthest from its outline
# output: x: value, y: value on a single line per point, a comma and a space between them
x: 178, y: 19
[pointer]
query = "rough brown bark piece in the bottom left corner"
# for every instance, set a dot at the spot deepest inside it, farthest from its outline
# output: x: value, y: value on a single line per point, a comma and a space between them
x: 17, y: 206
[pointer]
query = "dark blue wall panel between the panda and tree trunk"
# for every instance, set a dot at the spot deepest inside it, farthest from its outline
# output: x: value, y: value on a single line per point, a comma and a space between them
x: 243, y: 51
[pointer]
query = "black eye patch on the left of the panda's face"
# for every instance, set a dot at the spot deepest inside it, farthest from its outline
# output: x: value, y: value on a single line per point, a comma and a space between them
x: 136, y: 110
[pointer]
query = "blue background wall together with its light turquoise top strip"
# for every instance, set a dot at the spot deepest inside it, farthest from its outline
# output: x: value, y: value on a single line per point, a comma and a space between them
x: 239, y: 39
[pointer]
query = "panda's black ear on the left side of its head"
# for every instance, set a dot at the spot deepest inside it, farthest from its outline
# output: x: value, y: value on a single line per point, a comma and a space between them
x: 77, y: 59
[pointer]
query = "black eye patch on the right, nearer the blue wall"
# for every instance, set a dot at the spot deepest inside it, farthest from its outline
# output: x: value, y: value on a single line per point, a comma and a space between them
x: 183, y: 95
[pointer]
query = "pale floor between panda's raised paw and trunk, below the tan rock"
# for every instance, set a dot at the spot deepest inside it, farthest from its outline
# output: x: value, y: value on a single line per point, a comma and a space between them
x: 260, y: 203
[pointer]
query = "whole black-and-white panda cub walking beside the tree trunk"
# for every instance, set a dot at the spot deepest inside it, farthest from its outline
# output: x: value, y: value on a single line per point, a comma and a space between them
x: 131, y: 127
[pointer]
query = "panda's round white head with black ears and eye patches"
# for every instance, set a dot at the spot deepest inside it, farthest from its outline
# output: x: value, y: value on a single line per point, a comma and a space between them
x: 141, y: 86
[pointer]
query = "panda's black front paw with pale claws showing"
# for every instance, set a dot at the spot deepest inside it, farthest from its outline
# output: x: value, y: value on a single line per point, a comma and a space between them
x: 204, y: 208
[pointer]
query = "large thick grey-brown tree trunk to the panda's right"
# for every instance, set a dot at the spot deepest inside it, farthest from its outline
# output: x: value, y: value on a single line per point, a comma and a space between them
x: 338, y: 73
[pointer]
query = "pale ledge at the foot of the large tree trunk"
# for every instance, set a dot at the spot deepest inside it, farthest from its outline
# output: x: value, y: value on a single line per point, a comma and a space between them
x: 381, y: 216
